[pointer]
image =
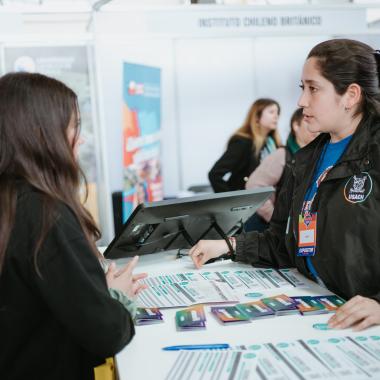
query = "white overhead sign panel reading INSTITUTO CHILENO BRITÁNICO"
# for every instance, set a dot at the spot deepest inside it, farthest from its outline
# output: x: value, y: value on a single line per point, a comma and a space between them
x: 234, y: 21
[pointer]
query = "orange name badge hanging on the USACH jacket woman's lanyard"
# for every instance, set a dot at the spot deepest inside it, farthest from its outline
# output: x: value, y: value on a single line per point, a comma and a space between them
x: 307, y: 234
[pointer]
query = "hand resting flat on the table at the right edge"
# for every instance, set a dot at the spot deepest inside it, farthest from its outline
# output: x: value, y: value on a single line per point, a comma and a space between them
x: 359, y: 312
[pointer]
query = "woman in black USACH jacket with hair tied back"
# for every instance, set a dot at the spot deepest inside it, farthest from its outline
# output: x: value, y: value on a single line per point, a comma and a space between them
x: 326, y: 219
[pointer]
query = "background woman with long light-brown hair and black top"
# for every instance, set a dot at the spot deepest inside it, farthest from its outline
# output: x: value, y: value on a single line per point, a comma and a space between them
x: 248, y: 146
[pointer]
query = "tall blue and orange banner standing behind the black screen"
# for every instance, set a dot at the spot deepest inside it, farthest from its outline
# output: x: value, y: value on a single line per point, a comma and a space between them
x: 142, y: 180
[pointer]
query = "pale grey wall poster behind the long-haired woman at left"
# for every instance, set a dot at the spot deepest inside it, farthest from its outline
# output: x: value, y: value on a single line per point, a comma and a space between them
x: 68, y: 64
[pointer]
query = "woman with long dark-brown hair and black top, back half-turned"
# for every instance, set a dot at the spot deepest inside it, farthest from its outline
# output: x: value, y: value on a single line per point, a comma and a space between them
x: 60, y: 314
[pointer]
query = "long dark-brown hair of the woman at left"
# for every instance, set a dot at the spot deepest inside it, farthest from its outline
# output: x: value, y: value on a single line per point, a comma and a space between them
x: 35, y: 112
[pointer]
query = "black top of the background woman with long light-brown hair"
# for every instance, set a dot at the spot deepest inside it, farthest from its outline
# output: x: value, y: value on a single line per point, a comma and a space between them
x: 240, y: 160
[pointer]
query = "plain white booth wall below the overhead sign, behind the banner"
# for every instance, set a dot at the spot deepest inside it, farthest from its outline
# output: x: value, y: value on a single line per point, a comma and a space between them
x: 207, y: 87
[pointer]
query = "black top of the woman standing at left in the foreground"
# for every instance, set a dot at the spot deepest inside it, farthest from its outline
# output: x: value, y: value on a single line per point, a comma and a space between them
x: 60, y: 325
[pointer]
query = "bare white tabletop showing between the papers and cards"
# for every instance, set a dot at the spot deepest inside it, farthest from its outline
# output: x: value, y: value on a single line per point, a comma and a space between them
x: 144, y: 358
